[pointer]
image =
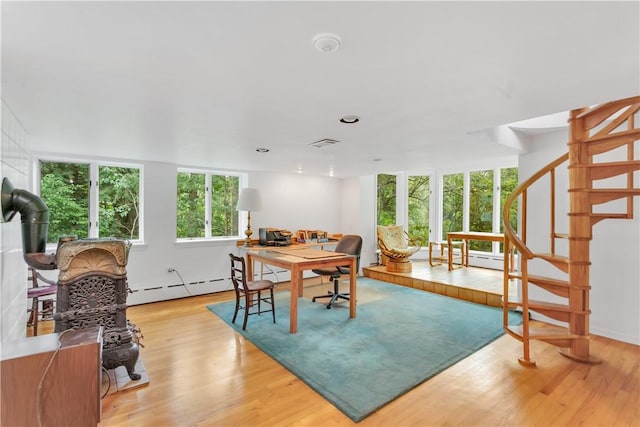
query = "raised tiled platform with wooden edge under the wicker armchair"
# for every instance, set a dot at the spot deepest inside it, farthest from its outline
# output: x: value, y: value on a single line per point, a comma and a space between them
x: 479, y: 285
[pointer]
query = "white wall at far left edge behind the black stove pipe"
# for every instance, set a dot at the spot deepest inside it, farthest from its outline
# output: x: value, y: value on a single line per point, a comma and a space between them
x: 14, y: 164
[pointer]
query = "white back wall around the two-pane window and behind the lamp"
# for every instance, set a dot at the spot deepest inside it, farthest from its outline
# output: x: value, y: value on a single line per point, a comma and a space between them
x: 290, y: 201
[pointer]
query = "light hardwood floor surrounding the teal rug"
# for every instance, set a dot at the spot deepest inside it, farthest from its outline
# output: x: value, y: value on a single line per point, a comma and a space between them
x: 203, y: 374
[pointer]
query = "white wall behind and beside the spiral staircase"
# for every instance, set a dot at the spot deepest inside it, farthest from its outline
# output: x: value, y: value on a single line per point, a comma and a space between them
x: 615, y: 248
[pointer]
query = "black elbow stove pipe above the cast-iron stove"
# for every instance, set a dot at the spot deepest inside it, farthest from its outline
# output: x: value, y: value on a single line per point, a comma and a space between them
x: 34, y: 216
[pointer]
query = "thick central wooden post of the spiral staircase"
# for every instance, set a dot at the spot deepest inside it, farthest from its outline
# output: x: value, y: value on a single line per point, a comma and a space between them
x: 580, y: 235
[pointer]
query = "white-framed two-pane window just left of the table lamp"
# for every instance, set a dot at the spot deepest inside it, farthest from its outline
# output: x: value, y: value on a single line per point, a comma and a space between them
x: 207, y: 205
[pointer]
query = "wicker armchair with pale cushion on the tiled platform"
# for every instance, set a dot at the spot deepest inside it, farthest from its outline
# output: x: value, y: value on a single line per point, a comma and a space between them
x: 397, y: 246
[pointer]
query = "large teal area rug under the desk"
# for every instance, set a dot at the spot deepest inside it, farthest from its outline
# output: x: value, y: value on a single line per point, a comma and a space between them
x: 400, y: 338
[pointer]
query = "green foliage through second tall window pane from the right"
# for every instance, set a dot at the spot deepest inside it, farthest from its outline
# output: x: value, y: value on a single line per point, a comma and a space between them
x: 481, y: 207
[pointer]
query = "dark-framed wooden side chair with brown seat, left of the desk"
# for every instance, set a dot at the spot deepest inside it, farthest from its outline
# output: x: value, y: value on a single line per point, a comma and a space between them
x: 247, y: 289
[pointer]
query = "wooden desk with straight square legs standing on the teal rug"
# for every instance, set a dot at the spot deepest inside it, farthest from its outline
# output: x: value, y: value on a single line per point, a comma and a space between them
x: 298, y: 260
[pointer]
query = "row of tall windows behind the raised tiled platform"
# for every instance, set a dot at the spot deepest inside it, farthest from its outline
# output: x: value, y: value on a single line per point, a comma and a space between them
x: 469, y: 201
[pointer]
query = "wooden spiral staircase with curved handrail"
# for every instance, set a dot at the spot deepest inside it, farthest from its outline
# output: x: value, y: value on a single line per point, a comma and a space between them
x: 612, y: 128
